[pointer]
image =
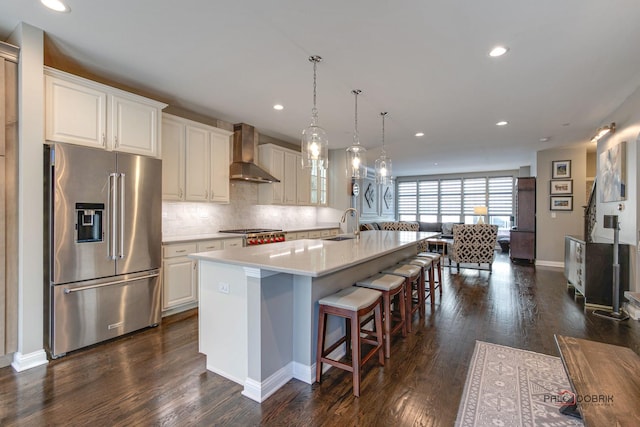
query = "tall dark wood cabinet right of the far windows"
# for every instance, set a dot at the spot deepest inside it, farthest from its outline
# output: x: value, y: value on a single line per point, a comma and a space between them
x: 523, y: 235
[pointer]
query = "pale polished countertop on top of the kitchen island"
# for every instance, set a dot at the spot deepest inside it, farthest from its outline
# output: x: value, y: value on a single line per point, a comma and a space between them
x: 316, y: 257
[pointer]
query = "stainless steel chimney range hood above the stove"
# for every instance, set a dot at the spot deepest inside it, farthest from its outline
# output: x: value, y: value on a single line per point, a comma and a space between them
x: 244, y: 147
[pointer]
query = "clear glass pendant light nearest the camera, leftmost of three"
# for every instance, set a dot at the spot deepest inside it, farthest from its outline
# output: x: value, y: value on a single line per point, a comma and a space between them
x: 315, y: 145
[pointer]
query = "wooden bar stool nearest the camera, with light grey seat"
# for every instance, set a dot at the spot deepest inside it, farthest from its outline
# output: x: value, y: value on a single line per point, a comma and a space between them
x: 350, y: 303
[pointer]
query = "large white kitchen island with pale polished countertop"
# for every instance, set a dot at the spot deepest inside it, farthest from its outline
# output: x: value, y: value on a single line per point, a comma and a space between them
x: 258, y: 306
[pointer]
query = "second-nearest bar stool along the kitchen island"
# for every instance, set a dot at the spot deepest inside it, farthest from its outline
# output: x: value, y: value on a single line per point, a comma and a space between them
x: 391, y: 286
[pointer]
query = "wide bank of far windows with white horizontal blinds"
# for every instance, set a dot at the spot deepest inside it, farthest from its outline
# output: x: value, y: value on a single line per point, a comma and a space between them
x: 449, y: 199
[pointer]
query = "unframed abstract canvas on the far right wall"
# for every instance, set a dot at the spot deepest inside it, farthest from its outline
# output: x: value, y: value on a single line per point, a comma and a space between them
x: 612, y: 169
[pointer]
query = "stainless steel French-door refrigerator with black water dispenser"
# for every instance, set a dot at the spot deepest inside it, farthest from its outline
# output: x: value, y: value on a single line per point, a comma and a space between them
x: 103, y: 236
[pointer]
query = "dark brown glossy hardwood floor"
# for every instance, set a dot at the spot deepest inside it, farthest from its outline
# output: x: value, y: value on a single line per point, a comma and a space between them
x: 157, y: 377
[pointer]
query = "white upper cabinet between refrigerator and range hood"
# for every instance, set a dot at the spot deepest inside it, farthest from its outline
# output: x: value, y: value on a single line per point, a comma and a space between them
x: 195, y: 161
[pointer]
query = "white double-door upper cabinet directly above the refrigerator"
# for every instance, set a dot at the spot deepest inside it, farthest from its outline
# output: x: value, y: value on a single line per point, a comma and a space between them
x: 83, y: 112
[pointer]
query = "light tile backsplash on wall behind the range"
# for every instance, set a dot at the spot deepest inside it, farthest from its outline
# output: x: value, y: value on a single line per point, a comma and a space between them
x: 188, y: 218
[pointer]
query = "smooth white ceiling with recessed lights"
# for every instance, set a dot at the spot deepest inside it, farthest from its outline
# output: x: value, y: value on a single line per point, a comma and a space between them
x: 570, y: 64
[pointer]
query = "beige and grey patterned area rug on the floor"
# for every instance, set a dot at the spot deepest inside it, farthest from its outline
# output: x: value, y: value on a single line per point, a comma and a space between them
x: 510, y: 387
